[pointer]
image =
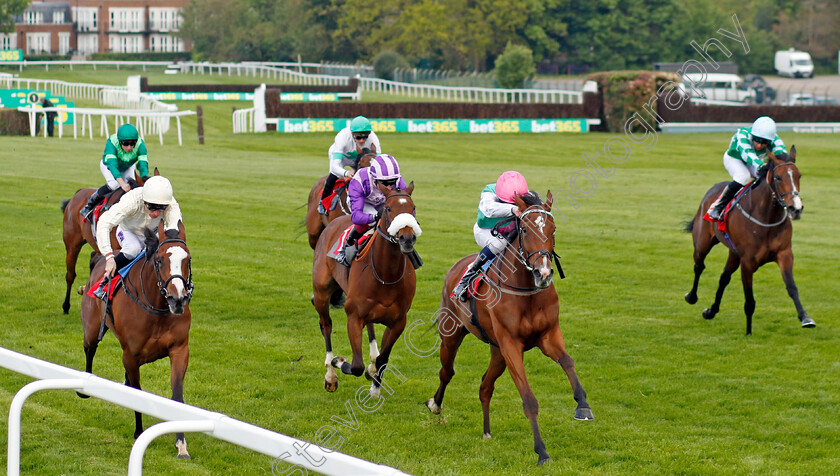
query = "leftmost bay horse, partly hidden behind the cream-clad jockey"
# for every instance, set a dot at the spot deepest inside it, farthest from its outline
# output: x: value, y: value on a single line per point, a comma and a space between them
x: 76, y: 231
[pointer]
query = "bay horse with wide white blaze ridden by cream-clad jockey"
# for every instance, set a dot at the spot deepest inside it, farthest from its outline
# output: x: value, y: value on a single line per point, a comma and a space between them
x: 150, y: 315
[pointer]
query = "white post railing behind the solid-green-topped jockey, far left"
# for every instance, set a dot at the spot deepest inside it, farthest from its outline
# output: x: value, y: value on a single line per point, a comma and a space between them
x: 147, y: 122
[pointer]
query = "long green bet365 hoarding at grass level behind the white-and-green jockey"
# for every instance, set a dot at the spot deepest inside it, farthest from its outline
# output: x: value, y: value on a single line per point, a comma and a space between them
x: 477, y: 126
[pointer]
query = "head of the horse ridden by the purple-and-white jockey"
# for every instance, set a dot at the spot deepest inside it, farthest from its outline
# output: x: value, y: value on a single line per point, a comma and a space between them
x: 398, y: 221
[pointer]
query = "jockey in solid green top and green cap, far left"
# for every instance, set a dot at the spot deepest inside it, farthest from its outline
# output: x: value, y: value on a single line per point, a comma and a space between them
x: 124, y: 152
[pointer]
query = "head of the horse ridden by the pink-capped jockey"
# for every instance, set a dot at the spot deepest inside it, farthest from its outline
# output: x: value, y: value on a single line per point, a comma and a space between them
x: 536, y: 236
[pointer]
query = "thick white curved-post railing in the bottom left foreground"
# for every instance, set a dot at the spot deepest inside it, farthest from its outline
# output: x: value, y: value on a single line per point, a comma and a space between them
x: 178, y: 417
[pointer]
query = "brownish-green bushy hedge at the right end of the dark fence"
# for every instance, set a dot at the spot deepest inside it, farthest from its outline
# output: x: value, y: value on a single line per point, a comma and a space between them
x: 624, y: 93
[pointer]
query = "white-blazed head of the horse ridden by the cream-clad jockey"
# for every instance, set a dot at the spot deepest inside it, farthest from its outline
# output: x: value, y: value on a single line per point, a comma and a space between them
x: 172, y: 264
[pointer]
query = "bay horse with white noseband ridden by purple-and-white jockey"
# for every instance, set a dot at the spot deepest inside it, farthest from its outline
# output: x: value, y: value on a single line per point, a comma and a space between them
x: 380, y: 286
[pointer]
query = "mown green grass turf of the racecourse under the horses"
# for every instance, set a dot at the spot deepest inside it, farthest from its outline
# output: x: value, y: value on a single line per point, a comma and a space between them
x: 671, y: 392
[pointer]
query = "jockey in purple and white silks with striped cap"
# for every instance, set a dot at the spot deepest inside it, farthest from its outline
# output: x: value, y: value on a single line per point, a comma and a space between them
x: 366, y: 200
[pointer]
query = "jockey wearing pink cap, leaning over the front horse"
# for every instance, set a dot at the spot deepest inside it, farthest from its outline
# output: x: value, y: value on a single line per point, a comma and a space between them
x: 496, y: 205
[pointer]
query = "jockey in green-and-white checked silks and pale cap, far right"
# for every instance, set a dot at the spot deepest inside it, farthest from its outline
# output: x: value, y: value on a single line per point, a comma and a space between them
x: 746, y: 153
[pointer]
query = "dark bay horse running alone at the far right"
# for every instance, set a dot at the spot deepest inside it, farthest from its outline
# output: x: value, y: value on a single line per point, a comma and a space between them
x: 759, y: 231
